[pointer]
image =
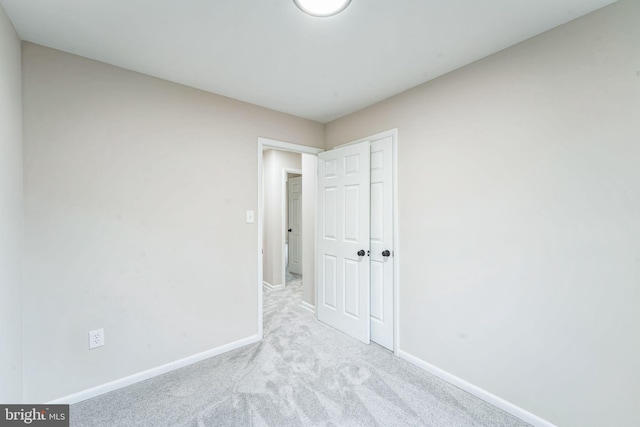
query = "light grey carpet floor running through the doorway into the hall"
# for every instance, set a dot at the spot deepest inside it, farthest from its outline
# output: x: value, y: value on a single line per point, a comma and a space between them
x: 303, y: 373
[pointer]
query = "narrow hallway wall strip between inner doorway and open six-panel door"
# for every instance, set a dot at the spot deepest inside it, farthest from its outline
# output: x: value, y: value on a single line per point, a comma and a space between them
x: 308, y: 227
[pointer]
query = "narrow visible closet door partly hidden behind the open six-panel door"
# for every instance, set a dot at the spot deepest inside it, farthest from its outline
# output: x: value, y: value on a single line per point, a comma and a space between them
x: 382, y: 242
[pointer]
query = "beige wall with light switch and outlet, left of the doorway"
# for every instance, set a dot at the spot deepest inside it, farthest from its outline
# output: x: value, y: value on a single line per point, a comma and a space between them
x: 135, y: 198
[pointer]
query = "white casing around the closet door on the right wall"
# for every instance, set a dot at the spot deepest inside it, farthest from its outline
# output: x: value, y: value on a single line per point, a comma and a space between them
x: 393, y: 133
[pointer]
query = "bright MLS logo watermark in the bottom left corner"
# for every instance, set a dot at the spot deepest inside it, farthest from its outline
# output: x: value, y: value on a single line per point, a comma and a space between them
x: 34, y: 415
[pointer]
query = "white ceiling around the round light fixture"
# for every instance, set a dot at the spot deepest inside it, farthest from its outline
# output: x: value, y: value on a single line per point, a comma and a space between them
x: 267, y: 52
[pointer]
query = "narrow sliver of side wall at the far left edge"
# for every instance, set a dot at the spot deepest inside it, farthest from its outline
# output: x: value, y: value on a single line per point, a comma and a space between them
x: 11, y: 215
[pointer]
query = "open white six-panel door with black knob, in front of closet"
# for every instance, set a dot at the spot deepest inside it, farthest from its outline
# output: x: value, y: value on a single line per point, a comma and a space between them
x: 343, y: 239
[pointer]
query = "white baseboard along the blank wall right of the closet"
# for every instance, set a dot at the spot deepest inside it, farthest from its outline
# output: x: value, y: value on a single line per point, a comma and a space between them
x: 496, y: 401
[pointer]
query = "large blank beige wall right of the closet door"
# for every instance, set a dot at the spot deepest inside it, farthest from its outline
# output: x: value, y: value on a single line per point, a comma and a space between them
x: 519, y: 208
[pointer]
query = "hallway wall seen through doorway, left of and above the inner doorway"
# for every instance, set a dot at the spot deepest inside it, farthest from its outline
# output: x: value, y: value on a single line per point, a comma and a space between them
x: 273, y: 163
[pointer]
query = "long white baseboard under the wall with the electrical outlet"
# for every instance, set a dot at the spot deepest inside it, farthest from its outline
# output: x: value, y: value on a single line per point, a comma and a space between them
x: 153, y: 372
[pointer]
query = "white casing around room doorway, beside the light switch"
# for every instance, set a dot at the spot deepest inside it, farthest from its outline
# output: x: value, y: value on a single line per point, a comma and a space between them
x: 266, y: 143
